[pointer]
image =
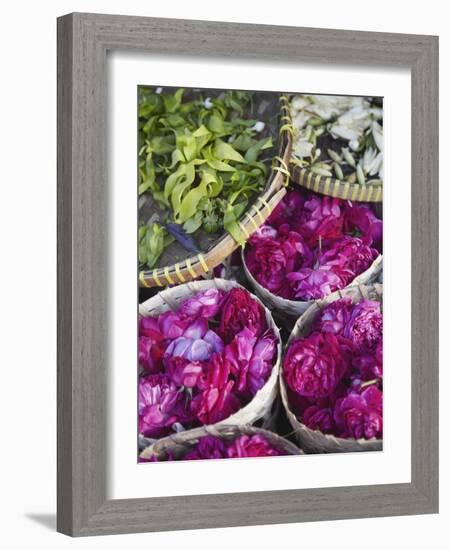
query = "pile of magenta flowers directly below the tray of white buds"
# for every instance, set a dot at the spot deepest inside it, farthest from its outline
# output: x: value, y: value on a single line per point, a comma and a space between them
x: 312, y: 246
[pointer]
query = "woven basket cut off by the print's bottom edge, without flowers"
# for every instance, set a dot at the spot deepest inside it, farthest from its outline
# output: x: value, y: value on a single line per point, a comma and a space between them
x: 180, y: 443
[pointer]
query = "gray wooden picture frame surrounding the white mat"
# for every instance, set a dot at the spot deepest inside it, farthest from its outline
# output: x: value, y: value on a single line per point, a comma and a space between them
x: 83, y: 41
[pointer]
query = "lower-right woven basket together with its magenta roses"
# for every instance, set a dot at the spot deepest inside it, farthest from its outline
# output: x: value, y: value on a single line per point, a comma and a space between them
x: 332, y: 375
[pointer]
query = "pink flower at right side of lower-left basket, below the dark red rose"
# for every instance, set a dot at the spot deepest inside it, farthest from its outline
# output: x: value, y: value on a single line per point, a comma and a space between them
x: 251, y: 360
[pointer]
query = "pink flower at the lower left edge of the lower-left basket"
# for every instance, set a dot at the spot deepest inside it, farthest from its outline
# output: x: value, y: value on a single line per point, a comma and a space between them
x: 158, y: 402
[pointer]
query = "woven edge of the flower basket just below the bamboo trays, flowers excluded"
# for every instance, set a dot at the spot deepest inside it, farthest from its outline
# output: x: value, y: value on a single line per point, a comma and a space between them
x: 288, y: 309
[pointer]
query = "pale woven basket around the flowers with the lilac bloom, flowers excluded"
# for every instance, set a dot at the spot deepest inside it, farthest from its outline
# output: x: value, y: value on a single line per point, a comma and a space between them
x: 261, y: 406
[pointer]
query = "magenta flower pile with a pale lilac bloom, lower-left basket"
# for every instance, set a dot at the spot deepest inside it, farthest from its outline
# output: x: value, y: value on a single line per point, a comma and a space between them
x: 203, y: 362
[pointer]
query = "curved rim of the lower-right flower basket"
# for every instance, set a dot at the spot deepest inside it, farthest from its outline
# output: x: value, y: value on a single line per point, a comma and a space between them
x: 319, y: 304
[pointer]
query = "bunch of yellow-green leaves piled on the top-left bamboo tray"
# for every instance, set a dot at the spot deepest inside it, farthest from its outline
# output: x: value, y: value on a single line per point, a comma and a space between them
x: 200, y: 159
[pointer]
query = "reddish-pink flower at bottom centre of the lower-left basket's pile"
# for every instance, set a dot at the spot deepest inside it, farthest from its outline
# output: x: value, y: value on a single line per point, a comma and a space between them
x: 216, y: 400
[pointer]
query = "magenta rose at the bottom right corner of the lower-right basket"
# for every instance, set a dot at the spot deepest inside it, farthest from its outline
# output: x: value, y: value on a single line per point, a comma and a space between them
x: 360, y: 415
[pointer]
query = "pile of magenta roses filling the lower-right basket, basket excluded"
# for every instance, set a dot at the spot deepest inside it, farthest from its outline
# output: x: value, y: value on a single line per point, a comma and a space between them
x: 334, y: 375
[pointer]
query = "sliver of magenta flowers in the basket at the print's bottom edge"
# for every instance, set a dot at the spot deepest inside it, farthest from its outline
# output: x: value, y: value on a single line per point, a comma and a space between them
x: 210, y: 446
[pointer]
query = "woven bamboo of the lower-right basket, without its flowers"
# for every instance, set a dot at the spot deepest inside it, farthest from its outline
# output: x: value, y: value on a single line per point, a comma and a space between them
x: 314, y: 441
